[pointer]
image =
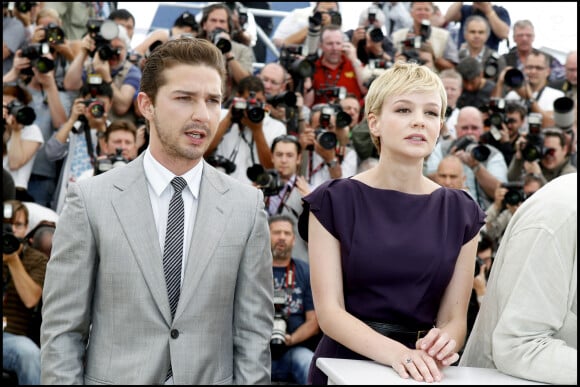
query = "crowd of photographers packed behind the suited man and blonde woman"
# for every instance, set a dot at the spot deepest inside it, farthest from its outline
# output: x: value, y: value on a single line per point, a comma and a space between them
x: 71, y: 75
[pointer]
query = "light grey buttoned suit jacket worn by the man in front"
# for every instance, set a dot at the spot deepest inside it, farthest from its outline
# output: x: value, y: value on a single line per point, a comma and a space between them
x: 106, y: 317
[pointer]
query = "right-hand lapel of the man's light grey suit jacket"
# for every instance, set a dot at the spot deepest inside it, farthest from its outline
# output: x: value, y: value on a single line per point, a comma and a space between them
x: 210, y: 223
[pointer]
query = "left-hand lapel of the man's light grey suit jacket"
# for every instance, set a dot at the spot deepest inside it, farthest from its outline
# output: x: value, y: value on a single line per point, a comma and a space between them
x: 134, y: 213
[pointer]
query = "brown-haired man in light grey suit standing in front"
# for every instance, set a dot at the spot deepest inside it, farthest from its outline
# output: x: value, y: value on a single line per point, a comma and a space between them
x: 107, y: 317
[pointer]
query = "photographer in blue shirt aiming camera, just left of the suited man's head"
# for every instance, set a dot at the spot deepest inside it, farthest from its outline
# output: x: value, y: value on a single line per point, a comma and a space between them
x: 104, y: 53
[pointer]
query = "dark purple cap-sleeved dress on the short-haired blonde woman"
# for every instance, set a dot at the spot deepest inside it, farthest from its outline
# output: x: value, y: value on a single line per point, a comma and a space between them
x: 398, y: 251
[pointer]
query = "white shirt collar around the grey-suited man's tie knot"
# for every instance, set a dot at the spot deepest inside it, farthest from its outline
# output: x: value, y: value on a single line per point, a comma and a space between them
x: 160, y: 177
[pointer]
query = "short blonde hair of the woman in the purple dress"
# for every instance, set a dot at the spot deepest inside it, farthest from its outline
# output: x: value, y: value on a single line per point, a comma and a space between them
x: 402, y: 78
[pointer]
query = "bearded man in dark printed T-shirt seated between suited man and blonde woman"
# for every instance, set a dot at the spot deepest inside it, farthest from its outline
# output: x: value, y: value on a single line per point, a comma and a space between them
x: 296, y: 328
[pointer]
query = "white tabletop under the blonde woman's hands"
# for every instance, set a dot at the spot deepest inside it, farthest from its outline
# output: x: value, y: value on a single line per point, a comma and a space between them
x: 364, y: 372
